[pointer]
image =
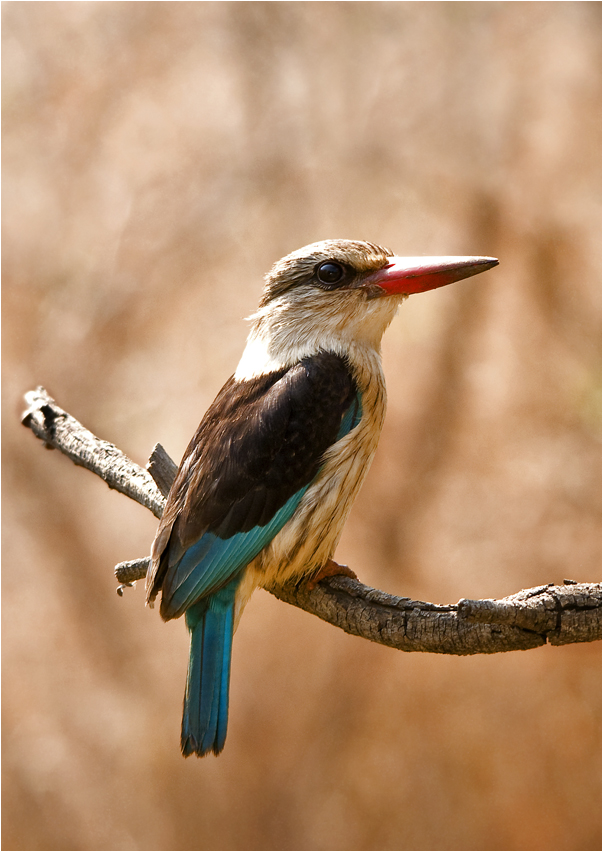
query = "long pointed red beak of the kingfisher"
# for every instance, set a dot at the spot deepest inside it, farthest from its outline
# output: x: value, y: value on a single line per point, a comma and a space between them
x: 405, y: 275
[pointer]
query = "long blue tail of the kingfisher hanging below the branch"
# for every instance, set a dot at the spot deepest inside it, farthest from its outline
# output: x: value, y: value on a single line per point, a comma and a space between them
x: 205, y: 715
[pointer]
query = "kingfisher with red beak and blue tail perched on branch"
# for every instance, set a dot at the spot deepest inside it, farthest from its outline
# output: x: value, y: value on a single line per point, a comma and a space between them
x: 267, y: 481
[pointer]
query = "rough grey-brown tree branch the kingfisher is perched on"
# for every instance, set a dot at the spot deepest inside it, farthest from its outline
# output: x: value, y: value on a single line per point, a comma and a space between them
x: 563, y: 614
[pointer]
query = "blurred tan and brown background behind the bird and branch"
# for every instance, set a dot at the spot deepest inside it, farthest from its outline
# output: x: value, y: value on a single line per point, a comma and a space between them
x: 158, y: 158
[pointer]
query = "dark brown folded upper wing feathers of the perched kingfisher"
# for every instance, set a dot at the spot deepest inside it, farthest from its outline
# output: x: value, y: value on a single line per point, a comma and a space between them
x: 259, y: 442
